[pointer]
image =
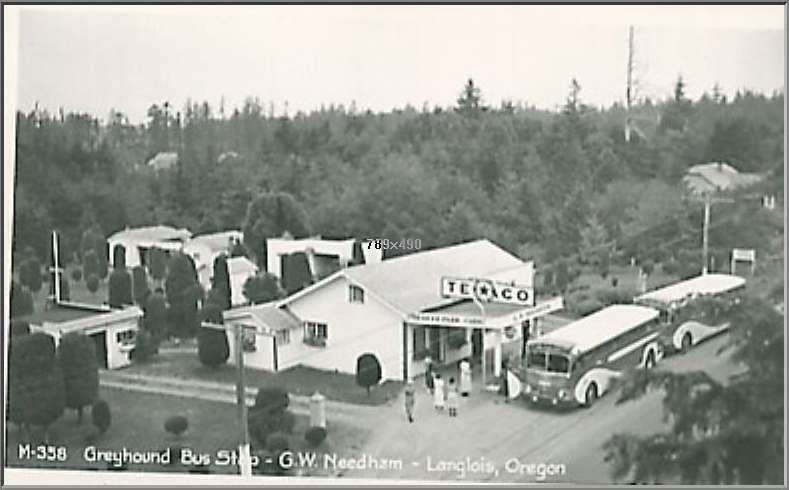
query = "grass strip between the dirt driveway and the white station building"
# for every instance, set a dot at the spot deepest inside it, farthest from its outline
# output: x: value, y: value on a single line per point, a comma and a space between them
x: 298, y: 380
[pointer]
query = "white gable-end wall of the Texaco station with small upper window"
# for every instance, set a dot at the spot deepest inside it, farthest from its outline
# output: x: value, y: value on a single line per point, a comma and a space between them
x: 353, y: 329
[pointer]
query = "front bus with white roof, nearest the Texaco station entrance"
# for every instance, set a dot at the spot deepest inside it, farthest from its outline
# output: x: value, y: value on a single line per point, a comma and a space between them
x: 576, y: 364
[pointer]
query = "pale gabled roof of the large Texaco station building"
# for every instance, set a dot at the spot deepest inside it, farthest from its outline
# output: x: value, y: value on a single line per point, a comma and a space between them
x: 411, y: 283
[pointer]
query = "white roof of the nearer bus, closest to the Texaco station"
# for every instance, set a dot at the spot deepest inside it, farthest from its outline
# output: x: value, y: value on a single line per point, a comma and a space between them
x: 599, y: 327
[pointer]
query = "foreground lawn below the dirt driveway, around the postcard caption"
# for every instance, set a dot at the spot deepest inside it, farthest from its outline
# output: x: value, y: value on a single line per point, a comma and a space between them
x: 138, y: 424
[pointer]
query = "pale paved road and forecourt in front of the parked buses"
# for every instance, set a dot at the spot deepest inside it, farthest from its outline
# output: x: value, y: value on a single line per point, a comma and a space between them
x: 489, y: 432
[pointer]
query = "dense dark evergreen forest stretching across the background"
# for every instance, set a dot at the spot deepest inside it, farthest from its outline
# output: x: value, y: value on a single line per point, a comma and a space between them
x: 541, y: 184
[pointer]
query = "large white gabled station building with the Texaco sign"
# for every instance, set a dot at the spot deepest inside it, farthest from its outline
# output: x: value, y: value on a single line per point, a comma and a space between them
x: 395, y: 310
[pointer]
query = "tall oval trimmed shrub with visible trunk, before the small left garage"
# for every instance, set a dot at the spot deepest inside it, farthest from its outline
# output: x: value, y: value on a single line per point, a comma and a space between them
x: 80, y: 371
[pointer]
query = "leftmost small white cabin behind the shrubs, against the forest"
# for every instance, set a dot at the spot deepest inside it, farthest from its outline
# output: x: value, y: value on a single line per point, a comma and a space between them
x: 137, y: 242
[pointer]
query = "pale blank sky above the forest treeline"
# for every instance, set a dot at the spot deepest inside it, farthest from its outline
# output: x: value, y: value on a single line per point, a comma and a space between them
x: 94, y: 58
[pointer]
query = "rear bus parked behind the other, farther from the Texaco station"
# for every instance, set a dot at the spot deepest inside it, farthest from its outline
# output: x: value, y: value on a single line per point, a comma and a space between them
x: 687, y: 327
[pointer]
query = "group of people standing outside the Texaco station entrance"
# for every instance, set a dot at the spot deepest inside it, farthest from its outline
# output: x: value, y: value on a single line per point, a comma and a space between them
x: 445, y: 394
